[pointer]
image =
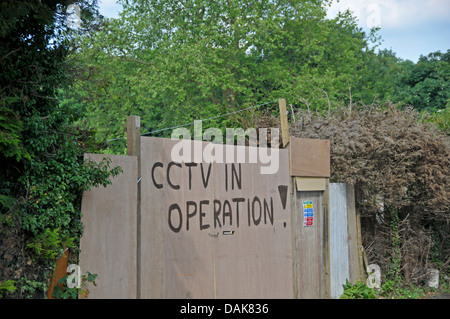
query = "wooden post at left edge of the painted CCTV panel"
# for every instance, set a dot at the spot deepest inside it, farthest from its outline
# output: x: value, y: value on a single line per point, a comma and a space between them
x: 134, y: 149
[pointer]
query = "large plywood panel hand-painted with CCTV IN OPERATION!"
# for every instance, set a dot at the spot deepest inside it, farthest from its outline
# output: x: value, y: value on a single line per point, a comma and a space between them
x: 213, y: 230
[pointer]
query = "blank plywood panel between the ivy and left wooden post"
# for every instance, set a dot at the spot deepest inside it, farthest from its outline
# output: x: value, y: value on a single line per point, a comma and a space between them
x: 108, y: 244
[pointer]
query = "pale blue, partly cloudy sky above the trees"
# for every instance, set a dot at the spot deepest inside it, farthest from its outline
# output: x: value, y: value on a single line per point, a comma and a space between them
x: 410, y: 28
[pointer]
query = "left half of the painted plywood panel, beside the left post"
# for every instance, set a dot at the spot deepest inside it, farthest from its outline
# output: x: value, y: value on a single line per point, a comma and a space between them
x: 176, y: 262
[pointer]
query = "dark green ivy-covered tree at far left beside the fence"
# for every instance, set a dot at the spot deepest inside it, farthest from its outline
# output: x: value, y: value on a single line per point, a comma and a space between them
x: 42, y: 170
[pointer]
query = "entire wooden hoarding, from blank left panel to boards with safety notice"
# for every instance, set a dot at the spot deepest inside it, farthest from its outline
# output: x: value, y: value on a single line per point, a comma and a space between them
x: 192, y: 228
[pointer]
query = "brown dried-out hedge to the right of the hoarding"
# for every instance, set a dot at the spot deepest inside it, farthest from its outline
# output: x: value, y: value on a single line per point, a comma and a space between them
x: 401, y: 171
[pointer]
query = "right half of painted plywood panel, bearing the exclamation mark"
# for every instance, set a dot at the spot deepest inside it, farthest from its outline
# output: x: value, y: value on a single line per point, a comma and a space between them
x: 254, y: 259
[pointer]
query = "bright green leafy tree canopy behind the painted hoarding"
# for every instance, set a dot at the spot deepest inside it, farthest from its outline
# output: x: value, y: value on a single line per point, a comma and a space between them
x: 204, y: 58
